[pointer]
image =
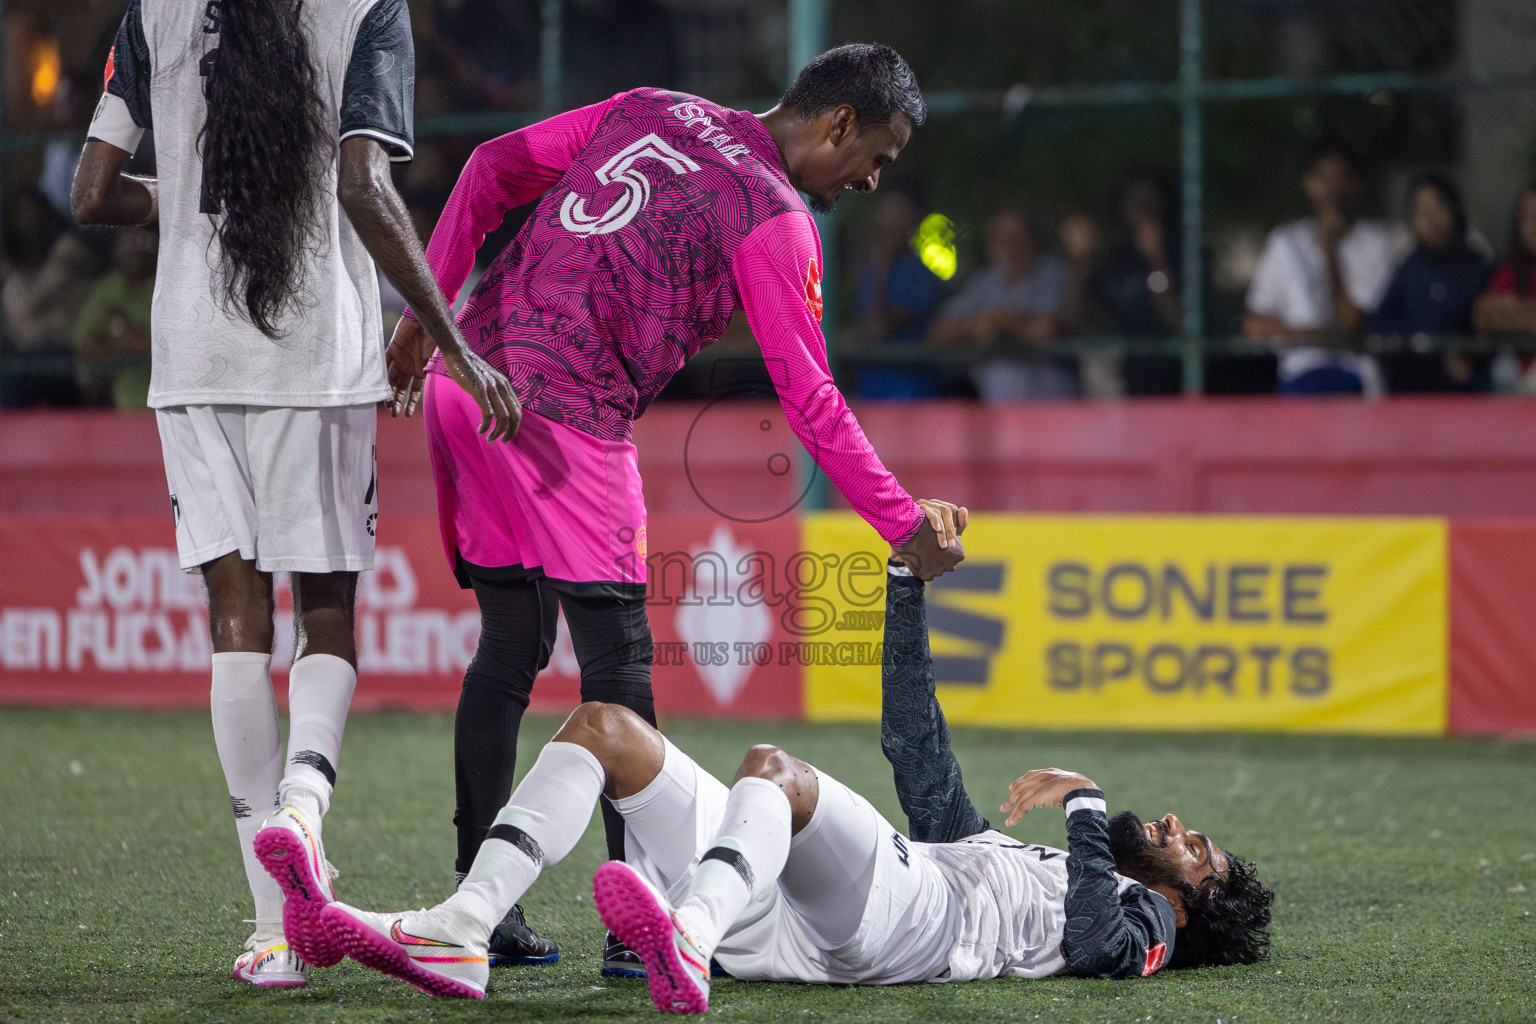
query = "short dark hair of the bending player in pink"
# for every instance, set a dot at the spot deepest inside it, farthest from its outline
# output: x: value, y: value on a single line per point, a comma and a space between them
x: 870, y: 78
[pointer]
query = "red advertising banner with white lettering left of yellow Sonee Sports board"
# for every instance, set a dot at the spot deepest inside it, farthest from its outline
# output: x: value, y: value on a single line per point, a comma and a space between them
x: 98, y: 612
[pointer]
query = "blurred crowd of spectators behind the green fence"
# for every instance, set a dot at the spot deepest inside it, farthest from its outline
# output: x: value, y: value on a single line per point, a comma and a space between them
x: 1082, y: 306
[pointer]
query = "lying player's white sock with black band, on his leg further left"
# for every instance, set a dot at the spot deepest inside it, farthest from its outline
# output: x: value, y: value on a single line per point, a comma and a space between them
x: 541, y: 824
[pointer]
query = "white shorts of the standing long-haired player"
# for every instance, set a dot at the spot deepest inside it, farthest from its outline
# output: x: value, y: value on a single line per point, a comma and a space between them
x: 294, y: 491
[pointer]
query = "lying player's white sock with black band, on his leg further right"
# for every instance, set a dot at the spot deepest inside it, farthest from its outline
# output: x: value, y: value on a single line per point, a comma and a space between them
x: 747, y: 854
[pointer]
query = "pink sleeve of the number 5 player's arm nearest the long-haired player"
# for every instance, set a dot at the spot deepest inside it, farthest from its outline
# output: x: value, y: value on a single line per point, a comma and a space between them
x: 500, y: 176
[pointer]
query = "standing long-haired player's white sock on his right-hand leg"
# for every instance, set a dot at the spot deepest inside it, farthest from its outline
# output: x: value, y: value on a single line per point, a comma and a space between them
x: 320, y: 695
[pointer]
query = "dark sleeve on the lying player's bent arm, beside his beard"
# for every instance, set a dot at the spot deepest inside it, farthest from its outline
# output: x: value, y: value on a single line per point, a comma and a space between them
x: 1110, y: 934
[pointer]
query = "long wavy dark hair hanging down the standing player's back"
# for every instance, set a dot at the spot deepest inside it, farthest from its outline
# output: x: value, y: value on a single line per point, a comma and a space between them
x: 262, y: 147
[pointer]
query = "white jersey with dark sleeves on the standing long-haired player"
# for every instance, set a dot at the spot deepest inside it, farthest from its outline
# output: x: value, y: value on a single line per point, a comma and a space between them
x: 333, y: 348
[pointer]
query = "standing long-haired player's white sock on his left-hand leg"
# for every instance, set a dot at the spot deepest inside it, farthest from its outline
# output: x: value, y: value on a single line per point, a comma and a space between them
x: 251, y: 755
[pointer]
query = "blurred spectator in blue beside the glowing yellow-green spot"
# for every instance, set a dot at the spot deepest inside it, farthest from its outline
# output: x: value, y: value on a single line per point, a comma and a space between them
x: 896, y: 297
